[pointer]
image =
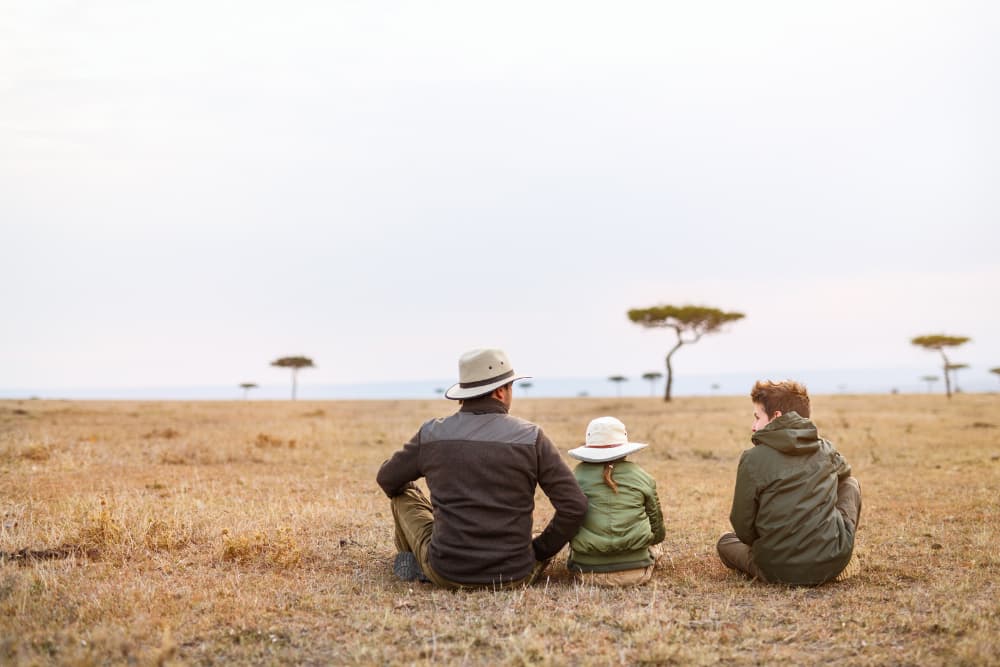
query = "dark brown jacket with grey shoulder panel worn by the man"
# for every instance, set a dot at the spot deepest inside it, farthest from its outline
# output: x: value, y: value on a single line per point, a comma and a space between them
x: 482, y: 466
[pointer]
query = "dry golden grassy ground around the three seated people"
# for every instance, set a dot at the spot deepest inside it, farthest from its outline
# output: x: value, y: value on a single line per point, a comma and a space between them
x: 197, y: 533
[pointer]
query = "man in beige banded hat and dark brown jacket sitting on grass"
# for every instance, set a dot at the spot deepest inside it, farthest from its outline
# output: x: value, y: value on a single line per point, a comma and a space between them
x: 482, y: 466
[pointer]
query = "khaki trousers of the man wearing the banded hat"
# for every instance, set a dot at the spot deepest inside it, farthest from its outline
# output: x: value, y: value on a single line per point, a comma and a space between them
x: 413, y: 517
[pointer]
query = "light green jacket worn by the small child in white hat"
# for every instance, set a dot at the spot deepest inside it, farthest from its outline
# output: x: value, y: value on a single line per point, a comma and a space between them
x: 619, y: 527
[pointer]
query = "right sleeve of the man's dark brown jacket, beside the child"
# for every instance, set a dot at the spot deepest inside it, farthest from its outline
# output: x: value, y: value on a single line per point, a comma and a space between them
x: 563, y: 491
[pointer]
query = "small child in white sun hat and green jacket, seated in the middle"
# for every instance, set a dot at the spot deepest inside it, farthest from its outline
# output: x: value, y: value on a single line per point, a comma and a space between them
x: 615, y: 545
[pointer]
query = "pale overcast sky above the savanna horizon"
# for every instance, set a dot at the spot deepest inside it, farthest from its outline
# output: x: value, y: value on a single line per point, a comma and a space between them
x: 191, y: 189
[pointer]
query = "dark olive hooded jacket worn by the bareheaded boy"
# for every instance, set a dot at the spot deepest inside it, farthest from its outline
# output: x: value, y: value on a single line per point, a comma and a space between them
x: 784, y: 506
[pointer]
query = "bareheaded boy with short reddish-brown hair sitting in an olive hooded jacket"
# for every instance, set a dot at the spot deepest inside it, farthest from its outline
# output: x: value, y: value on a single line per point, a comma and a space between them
x: 796, y: 506
